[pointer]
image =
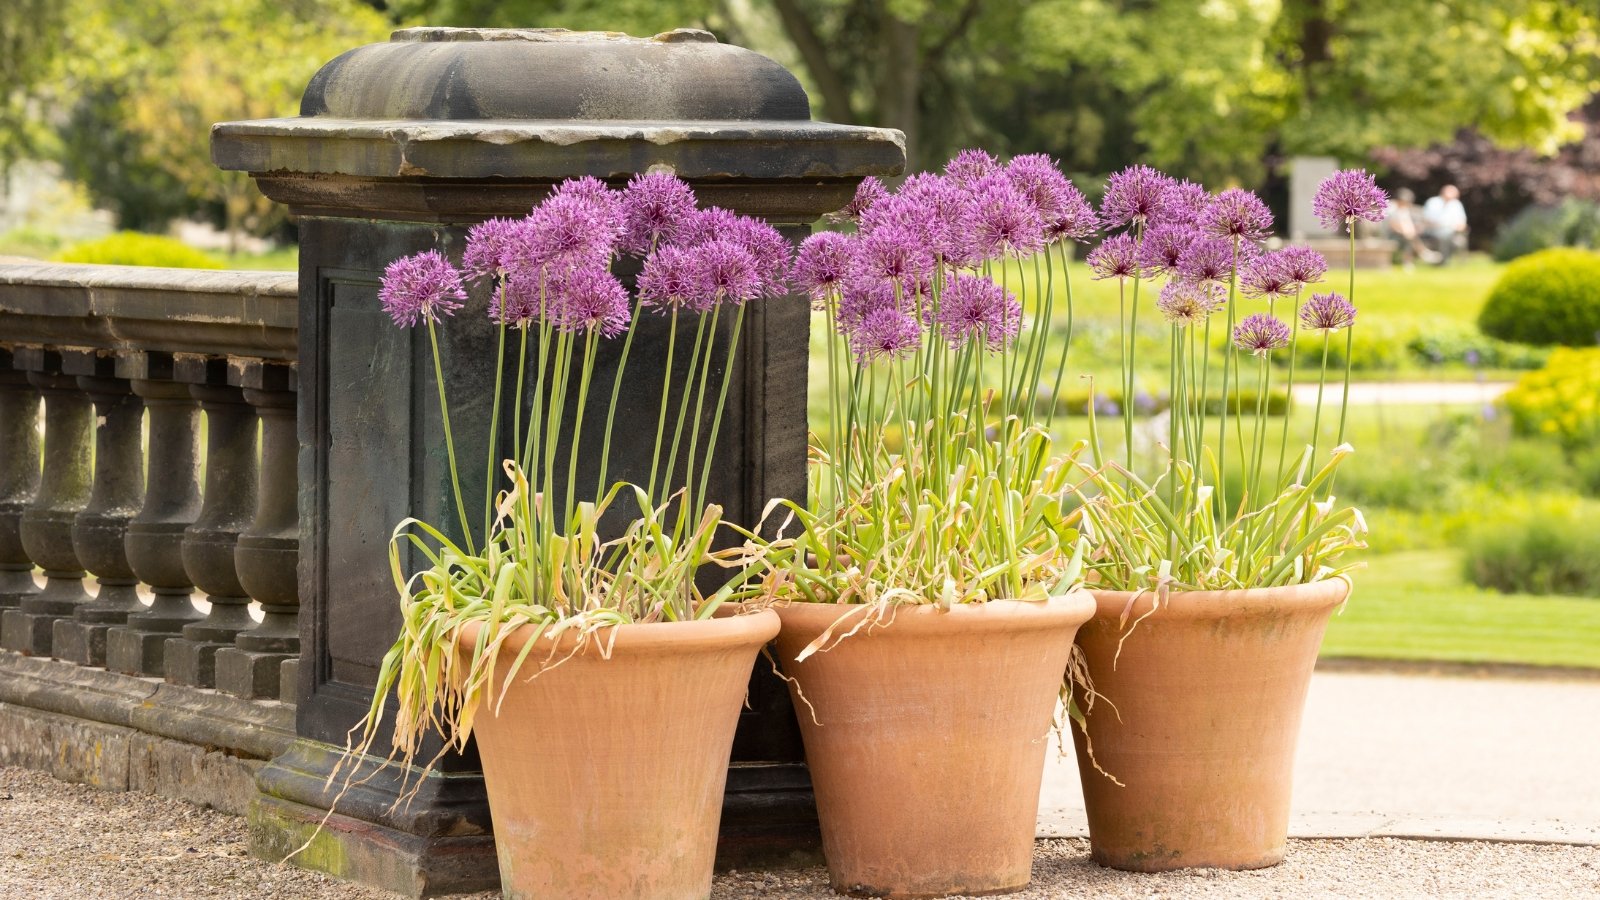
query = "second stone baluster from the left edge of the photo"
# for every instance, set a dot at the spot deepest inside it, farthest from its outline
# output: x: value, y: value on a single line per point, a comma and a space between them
x: 63, y: 494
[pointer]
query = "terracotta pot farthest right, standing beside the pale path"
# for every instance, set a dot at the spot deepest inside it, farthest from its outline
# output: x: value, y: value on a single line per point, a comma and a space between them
x: 1199, y: 721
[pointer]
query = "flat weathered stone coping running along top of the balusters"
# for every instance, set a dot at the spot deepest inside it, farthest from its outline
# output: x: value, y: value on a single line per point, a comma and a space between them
x: 132, y: 308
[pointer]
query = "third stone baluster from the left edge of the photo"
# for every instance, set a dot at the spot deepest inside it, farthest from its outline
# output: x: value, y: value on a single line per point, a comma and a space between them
x: 100, y: 532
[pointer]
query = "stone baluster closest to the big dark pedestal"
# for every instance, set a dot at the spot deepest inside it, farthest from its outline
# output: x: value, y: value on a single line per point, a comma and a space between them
x: 268, y: 553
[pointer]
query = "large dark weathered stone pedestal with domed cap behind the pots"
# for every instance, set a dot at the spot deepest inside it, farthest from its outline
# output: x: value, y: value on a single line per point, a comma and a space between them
x: 401, y: 148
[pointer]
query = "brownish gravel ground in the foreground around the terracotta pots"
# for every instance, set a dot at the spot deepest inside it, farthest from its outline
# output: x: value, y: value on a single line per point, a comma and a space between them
x: 71, y: 842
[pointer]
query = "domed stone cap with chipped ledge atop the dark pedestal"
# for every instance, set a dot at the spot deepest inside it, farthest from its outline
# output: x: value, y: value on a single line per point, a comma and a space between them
x: 458, y: 124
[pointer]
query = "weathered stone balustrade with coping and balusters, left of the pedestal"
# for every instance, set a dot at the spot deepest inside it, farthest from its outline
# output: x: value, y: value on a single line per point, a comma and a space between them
x: 111, y: 512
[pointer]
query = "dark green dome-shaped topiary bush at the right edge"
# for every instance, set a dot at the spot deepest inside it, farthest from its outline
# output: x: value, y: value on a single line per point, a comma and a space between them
x: 1546, y: 299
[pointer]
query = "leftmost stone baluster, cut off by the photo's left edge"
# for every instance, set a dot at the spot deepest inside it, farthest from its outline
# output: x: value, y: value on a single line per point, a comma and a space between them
x: 18, y: 480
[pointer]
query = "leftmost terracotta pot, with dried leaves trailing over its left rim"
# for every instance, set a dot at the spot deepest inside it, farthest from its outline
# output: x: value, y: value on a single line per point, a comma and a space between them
x: 606, y: 777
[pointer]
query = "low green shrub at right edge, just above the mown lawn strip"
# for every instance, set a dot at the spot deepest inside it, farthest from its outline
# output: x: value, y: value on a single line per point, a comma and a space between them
x: 1546, y: 548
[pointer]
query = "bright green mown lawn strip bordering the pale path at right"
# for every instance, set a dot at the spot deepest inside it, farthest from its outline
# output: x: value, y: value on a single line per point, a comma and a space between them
x: 1417, y: 606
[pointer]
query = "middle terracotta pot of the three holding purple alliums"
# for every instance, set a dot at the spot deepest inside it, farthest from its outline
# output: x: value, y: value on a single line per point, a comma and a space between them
x: 929, y: 744
